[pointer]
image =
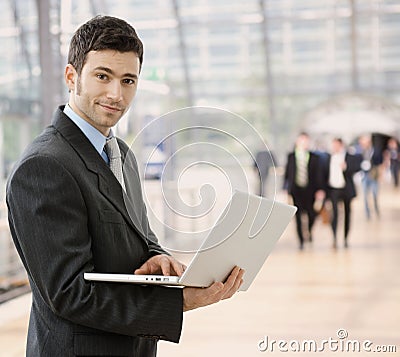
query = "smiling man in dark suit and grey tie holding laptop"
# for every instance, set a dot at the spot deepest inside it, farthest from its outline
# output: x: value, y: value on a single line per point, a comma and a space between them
x: 73, y: 210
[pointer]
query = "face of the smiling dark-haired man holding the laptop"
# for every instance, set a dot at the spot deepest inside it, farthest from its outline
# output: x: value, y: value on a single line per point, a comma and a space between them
x: 105, y: 89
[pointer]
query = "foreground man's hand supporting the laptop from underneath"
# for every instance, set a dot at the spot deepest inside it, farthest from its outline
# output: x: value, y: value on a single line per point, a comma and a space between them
x: 194, y: 298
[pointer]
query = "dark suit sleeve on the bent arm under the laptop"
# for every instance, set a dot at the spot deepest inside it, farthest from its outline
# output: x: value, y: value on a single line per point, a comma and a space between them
x: 50, y: 228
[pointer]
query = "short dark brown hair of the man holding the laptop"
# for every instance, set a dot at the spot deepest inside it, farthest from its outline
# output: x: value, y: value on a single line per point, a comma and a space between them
x: 103, y: 33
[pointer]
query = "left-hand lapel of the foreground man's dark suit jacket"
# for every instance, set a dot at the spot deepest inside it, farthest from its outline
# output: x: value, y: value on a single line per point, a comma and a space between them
x: 107, y: 183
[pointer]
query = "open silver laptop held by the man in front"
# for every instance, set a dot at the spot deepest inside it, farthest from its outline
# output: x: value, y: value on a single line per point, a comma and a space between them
x: 244, y: 236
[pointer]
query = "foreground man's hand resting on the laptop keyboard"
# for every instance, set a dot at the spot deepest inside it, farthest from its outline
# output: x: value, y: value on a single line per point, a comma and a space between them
x: 162, y: 264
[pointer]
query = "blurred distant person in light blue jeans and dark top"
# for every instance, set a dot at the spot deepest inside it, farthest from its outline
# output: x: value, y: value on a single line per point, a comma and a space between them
x: 371, y: 165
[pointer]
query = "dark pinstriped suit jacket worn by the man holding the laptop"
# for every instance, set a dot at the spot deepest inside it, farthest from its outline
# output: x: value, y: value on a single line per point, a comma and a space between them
x: 68, y: 216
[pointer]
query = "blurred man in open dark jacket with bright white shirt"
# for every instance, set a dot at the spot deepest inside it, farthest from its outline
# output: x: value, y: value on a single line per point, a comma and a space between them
x: 340, y: 185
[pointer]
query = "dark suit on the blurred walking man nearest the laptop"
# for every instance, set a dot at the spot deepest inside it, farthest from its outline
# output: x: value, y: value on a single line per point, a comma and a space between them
x: 304, y: 196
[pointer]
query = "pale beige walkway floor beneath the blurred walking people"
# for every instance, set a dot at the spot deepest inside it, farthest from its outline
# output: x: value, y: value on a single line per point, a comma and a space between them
x: 313, y: 295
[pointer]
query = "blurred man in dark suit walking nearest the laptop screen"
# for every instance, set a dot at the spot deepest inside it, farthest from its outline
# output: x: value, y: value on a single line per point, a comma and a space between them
x: 303, y: 182
